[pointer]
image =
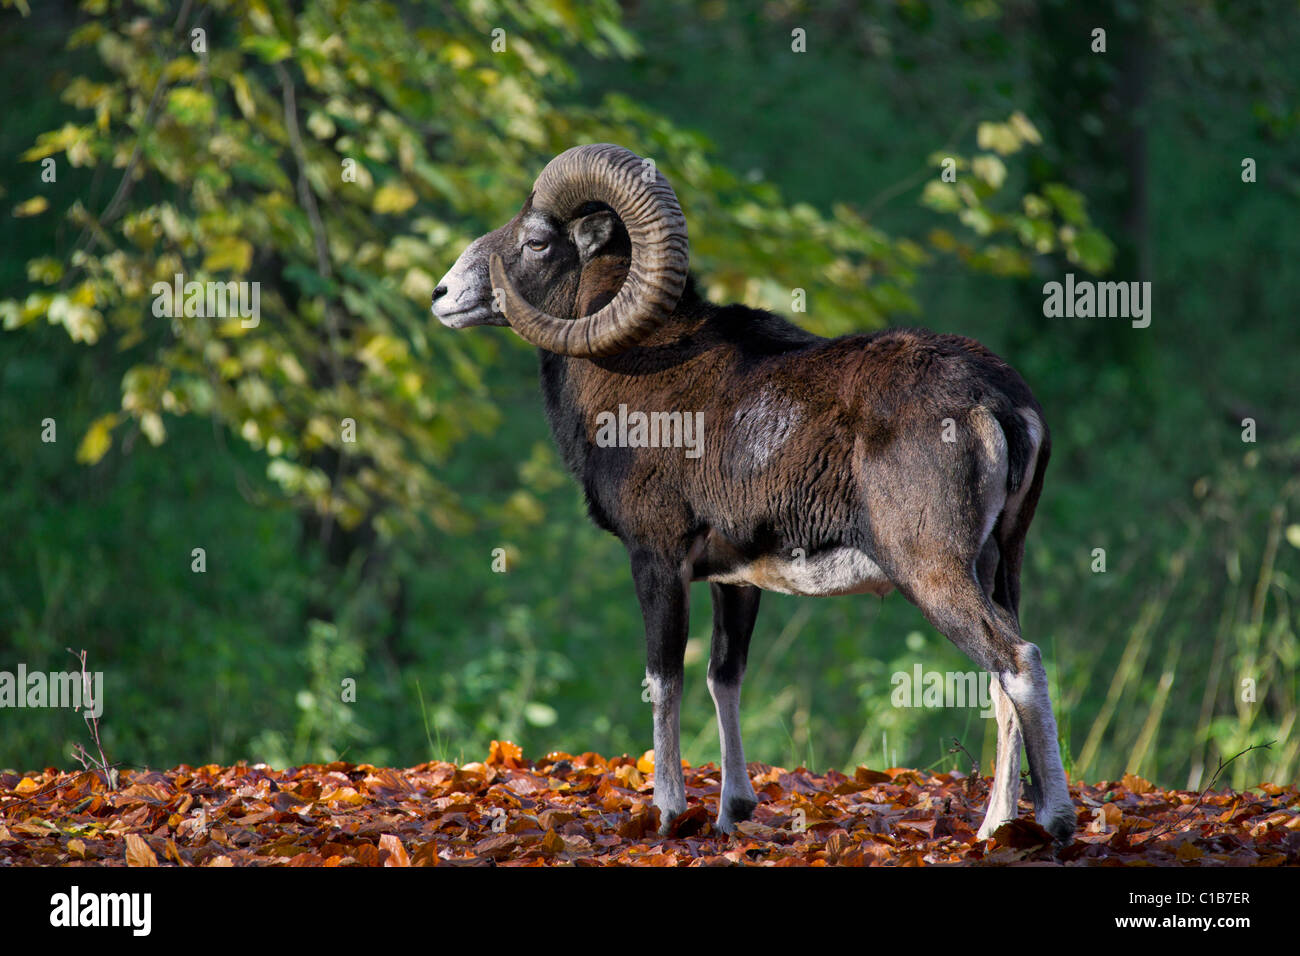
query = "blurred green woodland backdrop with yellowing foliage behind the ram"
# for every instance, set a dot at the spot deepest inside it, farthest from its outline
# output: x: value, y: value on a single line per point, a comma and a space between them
x: 808, y: 142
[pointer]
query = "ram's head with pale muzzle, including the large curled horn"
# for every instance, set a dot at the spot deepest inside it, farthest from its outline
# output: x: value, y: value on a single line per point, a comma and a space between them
x: 593, y: 263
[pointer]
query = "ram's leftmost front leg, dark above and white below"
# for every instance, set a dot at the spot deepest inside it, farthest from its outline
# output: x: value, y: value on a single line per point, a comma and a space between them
x: 662, y: 592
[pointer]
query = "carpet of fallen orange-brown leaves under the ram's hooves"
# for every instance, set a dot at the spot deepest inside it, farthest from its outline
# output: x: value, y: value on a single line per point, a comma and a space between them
x: 588, y: 811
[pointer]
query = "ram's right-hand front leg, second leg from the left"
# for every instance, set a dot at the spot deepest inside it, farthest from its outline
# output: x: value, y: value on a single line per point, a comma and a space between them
x: 735, y: 609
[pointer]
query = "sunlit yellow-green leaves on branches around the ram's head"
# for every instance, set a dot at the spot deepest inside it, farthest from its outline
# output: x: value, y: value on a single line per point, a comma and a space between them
x: 337, y: 158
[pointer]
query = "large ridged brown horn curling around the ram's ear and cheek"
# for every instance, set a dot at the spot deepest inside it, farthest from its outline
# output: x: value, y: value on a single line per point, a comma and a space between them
x: 645, y: 202
